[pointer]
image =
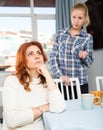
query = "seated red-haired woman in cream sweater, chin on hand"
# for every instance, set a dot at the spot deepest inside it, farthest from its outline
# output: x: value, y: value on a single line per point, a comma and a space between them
x: 30, y: 92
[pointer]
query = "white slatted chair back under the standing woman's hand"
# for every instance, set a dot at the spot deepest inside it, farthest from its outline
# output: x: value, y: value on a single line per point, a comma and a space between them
x: 65, y: 90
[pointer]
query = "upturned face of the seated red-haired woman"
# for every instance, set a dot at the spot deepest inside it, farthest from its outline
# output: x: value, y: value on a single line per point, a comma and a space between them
x: 34, y: 57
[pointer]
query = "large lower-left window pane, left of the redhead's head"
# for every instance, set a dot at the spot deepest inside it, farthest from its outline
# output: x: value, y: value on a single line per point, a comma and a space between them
x: 13, y: 32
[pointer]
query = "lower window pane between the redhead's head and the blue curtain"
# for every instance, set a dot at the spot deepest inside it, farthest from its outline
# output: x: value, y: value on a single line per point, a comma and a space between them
x: 46, y: 33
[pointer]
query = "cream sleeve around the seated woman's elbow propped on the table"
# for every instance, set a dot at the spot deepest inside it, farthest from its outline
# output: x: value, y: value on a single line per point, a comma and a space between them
x: 56, y: 101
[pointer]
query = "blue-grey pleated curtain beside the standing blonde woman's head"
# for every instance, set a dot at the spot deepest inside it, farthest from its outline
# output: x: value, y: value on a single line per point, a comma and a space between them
x: 63, y: 8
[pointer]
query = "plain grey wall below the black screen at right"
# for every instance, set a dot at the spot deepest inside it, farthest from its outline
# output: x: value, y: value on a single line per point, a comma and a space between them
x: 95, y: 69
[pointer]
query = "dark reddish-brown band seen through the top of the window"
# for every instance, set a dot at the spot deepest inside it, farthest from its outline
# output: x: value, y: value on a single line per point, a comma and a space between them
x: 26, y: 3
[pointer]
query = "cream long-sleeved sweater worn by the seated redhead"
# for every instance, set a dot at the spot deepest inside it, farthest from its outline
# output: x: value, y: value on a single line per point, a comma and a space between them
x: 17, y: 104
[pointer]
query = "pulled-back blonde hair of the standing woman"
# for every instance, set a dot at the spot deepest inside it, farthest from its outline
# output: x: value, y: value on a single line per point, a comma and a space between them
x: 83, y: 7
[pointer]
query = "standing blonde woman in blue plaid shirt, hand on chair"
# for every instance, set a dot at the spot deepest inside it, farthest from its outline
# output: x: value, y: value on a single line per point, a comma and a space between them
x: 72, y: 51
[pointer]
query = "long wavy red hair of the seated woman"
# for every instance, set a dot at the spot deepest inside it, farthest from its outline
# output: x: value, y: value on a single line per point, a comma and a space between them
x: 21, y: 71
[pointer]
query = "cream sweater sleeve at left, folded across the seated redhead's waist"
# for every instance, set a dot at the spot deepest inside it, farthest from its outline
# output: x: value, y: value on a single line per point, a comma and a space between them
x: 14, y: 117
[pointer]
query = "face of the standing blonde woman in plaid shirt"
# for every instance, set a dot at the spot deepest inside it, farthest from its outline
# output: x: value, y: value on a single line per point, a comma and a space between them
x: 77, y: 19
